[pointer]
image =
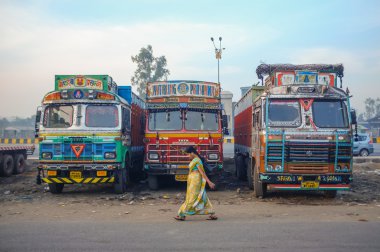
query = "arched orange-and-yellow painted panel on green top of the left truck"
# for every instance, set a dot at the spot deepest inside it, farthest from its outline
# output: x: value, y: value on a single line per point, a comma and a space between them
x: 79, y: 82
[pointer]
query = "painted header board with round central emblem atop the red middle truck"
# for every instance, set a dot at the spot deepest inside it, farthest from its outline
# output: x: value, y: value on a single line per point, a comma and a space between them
x: 200, y: 89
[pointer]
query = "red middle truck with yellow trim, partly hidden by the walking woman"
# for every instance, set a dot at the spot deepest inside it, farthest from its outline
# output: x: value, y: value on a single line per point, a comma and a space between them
x: 180, y: 114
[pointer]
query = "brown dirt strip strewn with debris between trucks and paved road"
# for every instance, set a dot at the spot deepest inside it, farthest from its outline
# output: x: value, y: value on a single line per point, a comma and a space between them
x: 22, y: 199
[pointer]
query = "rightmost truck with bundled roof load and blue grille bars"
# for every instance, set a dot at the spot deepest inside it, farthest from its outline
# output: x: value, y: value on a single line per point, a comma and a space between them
x: 295, y: 132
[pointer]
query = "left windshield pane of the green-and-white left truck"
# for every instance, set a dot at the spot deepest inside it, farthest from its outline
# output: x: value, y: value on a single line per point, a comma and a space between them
x: 58, y: 117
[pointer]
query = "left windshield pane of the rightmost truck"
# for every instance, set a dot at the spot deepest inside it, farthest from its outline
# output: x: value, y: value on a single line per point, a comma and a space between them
x: 284, y: 113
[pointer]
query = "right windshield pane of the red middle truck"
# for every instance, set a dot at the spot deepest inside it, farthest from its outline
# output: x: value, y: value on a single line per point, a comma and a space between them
x: 201, y: 121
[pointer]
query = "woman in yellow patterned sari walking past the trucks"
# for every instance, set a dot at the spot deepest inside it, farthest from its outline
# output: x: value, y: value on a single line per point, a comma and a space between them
x: 197, y: 202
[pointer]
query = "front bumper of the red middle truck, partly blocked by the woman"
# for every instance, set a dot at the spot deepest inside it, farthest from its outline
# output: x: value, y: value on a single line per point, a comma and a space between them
x: 178, y: 169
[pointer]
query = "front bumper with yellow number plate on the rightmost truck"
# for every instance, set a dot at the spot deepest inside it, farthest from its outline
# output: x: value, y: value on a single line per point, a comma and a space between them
x: 307, y: 182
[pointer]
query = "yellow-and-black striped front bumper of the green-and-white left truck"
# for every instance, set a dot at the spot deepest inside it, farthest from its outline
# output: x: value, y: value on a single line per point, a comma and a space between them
x: 78, y: 173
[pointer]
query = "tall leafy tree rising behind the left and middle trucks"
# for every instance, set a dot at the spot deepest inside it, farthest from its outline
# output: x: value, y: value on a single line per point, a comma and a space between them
x: 148, y: 69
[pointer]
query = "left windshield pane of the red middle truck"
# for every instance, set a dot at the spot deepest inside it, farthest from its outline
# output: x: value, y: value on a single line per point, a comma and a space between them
x: 166, y: 120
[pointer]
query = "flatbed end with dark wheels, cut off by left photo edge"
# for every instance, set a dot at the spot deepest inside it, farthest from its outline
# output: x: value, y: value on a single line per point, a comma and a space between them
x: 13, y: 158
